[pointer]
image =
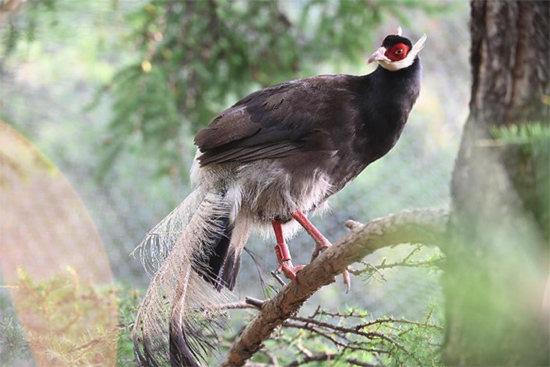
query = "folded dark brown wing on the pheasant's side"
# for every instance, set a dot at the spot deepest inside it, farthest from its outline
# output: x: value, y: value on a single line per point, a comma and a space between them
x: 275, y: 122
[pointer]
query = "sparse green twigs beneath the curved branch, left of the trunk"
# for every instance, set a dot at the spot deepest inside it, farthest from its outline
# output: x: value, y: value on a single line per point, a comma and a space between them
x: 353, y: 337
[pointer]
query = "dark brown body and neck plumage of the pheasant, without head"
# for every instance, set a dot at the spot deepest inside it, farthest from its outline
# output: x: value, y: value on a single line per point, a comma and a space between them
x: 335, y: 124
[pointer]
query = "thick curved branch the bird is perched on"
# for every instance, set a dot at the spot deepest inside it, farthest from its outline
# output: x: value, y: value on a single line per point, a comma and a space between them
x: 418, y: 226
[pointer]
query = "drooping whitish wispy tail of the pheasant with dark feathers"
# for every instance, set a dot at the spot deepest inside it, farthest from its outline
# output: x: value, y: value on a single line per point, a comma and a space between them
x: 194, y: 256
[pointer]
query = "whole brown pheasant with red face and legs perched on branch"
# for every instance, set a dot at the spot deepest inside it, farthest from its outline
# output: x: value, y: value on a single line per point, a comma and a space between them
x: 265, y: 163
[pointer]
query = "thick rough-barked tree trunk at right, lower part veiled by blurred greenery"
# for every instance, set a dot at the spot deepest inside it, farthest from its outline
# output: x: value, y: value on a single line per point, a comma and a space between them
x: 498, y: 229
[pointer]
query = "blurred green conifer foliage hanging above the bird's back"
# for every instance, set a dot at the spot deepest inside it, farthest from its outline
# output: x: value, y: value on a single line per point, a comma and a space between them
x: 194, y: 57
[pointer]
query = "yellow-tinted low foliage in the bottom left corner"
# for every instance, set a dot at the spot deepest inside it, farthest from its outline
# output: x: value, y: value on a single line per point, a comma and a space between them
x: 66, y: 322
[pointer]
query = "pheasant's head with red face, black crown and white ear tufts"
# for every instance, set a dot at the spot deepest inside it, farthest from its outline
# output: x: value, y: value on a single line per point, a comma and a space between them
x: 397, y: 52
